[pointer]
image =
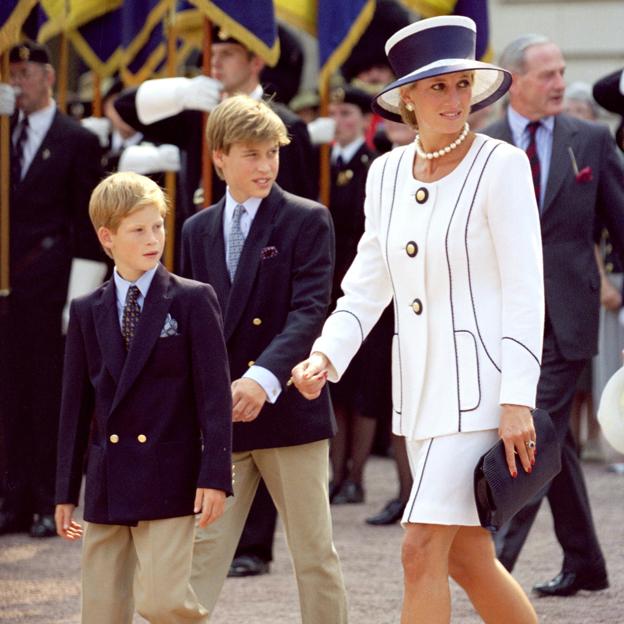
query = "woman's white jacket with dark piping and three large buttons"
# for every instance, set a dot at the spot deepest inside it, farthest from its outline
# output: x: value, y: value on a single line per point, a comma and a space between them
x: 461, y: 257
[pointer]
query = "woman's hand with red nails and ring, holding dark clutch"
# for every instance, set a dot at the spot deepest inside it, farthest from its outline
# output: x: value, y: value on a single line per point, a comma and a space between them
x: 518, y: 435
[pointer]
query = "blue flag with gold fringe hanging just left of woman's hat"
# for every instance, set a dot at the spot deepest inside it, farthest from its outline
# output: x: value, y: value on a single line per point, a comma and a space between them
x: 339, y: 26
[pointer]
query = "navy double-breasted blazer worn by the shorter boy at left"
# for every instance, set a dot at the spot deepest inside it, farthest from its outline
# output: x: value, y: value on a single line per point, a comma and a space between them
x: 157, y: 420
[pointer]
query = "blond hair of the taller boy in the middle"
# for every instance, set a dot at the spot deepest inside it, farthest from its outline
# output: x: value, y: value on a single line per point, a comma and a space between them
x: 241, y: 119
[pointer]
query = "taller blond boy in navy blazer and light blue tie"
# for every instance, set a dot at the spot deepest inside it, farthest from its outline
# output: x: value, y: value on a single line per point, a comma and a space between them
x: 269, y: 256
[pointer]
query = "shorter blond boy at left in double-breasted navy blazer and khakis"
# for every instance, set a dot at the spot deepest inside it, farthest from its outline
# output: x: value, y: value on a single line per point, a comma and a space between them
x: 146, y: 397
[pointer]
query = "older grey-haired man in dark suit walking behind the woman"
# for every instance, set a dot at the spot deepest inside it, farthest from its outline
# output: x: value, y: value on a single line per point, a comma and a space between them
x: 577, y: 176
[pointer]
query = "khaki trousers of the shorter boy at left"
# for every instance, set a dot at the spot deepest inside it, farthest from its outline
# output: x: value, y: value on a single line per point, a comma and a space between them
x: 154, y: 558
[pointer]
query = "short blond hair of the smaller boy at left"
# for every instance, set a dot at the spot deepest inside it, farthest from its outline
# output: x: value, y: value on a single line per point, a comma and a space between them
x: 121, y: 194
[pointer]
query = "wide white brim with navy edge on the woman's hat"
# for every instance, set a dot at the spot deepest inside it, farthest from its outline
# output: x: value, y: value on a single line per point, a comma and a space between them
x: 490, y: 84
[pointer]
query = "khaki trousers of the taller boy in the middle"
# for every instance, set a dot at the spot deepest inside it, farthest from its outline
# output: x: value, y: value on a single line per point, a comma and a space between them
x: 297, y: 478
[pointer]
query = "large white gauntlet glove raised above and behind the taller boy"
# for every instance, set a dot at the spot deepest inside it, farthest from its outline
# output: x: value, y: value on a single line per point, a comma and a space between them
x: 159, y: 99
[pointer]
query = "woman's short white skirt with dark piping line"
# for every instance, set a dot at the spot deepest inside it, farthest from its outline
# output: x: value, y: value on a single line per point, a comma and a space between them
x: 443, y: 471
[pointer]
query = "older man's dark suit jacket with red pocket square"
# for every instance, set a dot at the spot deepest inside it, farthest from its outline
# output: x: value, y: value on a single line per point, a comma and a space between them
x: 571, y: 205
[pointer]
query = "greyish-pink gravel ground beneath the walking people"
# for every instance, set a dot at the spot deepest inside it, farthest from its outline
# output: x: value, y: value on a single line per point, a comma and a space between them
x: 39, y: 579
